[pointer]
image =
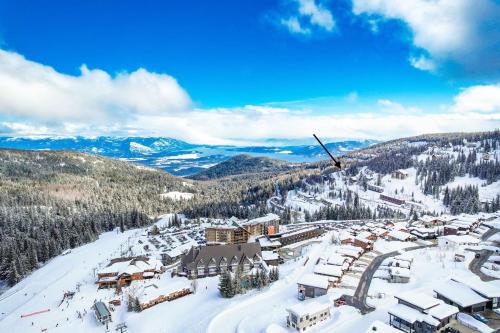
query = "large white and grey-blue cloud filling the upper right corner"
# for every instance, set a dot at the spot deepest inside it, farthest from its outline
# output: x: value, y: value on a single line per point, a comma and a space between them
x: 465, y: 33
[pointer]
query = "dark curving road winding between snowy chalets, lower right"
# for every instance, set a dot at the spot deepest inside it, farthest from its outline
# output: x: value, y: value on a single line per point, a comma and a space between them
x: 358, y: 300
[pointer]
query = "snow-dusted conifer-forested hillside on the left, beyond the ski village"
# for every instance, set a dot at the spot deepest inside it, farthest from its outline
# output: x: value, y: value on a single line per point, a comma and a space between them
x: 55, y: 200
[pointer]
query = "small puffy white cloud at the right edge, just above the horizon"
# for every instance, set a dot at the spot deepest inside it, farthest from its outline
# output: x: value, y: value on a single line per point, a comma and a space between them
x: 484, y: 99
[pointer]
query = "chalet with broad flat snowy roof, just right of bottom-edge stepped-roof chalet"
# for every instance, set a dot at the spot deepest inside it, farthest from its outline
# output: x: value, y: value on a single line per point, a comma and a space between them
x: 461, y: 296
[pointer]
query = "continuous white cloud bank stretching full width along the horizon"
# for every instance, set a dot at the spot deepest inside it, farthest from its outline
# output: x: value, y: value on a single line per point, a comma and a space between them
x: 37, y: 100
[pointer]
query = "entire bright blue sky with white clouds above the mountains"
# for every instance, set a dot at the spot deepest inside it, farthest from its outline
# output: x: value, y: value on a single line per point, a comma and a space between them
x: 241, y: 72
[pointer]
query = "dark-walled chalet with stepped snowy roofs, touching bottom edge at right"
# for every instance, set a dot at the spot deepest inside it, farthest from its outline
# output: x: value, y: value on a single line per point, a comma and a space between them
x: 420, y: 313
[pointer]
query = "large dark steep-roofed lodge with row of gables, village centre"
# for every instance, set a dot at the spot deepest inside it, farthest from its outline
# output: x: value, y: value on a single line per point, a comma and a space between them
x: 205, y: 261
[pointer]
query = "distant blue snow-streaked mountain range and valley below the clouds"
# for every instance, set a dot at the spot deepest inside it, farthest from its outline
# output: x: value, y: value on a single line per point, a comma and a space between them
x: 175, y: 156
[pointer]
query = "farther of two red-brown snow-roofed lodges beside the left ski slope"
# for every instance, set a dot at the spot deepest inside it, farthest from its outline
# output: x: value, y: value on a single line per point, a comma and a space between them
x: 122, y: 271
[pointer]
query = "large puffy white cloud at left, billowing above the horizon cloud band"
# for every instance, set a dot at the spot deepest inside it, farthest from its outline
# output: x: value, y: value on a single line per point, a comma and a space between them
x: 35, y: 91
